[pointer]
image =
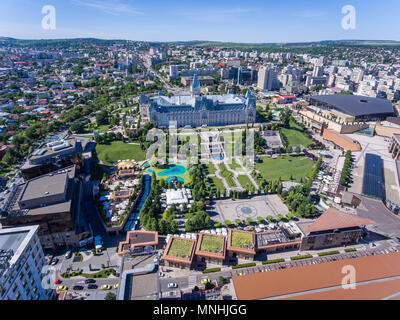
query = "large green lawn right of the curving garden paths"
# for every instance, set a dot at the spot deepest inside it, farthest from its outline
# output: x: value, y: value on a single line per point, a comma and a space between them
x: 284, y: 167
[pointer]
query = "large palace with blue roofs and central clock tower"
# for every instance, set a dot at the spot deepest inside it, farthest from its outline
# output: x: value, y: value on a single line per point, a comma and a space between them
x: 196, y: 110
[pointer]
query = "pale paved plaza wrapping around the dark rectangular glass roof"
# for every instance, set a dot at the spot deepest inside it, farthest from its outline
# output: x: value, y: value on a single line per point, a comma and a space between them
x: 379, y: 146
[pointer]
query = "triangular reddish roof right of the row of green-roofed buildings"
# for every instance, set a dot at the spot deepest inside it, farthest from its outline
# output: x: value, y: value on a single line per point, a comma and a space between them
x: 334, y: 219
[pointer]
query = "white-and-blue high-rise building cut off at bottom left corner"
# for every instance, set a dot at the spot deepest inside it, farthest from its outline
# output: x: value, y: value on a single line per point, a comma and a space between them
x: 21, y: 265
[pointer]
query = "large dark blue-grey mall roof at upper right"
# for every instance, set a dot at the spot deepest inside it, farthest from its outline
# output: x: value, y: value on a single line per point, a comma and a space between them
x: 356, y: 105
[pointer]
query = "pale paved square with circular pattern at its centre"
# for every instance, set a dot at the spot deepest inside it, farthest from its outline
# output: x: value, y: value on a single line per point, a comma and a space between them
x: 257, y: 206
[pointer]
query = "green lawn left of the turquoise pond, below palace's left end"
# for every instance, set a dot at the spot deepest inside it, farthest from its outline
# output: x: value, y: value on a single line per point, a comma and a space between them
x: 117, y: 150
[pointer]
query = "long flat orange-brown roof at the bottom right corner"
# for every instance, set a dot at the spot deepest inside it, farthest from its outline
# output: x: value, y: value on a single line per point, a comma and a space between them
x: 278, y: 283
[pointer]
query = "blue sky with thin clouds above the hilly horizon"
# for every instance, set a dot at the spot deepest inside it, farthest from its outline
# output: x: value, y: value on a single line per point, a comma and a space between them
x: 217, y: 20
